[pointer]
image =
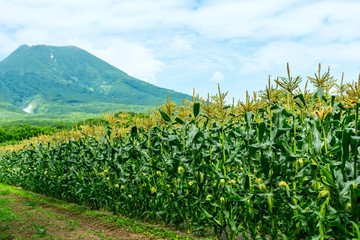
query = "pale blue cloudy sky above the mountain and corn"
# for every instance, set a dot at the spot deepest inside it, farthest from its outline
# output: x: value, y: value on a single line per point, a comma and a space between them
x: 186, y: 44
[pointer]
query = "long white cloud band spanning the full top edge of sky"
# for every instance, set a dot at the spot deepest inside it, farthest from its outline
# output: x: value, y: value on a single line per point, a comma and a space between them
x: 261, y: 20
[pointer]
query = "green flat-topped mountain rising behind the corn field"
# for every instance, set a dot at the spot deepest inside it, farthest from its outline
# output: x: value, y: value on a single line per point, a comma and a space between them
x: 58, y: 80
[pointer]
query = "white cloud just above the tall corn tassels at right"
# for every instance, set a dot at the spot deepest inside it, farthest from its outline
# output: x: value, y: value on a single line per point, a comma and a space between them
x: 302, y: 56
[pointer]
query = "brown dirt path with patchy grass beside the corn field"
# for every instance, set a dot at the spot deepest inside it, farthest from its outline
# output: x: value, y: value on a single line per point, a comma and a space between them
x: 25, y: 218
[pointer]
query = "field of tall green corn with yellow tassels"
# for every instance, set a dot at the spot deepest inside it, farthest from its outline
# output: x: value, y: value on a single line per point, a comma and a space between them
x: 283, y: 164
